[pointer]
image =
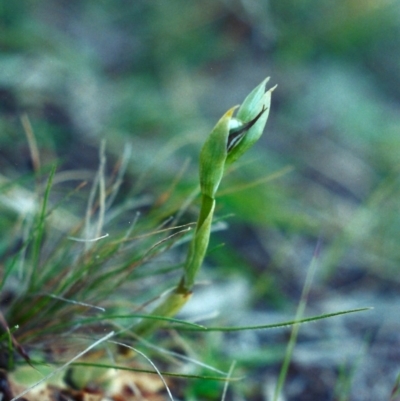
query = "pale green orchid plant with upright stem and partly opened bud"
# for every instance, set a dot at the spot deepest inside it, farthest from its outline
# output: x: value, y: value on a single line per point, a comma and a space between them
x: 227, y: 142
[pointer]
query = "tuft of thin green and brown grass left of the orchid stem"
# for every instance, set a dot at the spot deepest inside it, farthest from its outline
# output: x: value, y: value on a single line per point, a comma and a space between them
x: 76, y: 284
